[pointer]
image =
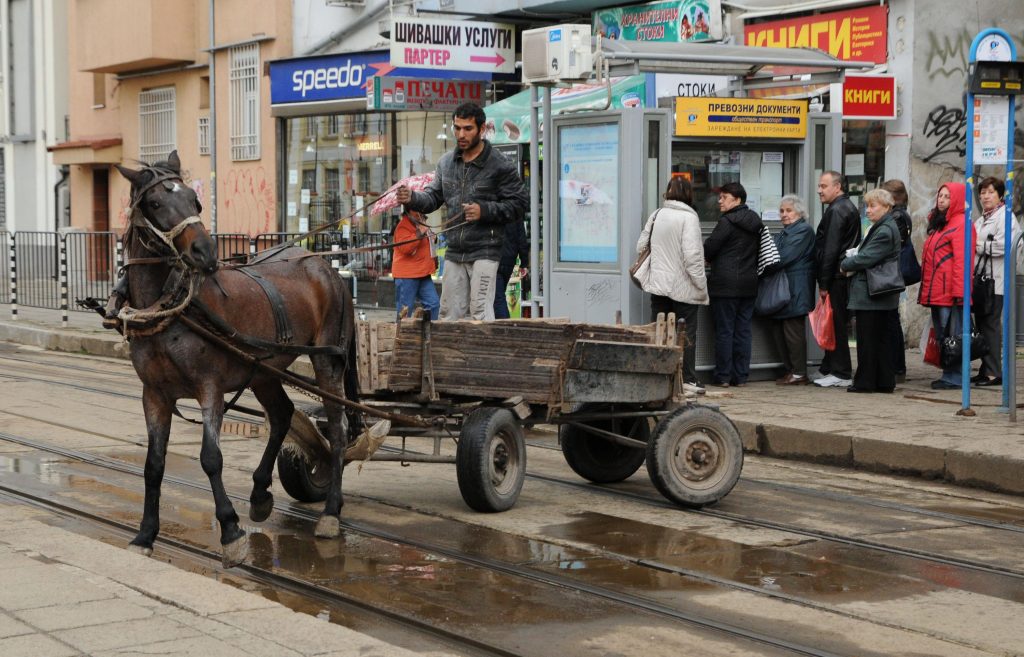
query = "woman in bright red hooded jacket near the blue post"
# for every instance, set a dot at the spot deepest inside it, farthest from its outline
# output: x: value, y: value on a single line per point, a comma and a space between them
x: 943, y: 261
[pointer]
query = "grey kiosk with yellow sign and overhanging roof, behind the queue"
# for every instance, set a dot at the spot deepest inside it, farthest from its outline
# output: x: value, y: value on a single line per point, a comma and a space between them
x: 610, y: 169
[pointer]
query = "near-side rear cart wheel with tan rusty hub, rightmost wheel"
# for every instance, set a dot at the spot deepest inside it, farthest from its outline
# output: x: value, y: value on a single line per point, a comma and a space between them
x: 696, y: 456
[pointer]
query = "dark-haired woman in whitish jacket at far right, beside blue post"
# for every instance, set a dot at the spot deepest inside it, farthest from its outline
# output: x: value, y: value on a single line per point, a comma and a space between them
x: 989, y: 261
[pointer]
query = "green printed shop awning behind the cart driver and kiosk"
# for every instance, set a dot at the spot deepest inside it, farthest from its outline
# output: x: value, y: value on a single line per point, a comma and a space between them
x: 508, y: 121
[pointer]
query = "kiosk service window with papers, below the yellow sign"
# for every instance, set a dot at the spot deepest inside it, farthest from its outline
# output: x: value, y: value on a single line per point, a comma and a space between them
x: 766, y: 172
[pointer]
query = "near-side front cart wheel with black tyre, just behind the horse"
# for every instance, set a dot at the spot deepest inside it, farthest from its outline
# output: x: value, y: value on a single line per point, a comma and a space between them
x: 491, y: 460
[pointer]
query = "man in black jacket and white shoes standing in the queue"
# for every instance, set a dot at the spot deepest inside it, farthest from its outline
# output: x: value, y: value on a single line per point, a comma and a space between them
x: 838, y: 232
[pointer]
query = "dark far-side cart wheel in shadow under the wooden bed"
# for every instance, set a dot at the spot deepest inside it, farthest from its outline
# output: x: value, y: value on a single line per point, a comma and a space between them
x: 603, y: 461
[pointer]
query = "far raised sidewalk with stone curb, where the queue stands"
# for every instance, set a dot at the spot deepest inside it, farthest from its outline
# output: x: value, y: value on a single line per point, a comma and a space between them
x: 914, y: 431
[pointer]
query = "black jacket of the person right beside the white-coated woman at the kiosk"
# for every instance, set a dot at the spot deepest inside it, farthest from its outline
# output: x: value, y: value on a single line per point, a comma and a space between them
x: 733, y: 252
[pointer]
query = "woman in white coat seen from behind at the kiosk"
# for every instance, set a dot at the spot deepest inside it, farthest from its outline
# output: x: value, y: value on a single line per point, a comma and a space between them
x: 677, y: 282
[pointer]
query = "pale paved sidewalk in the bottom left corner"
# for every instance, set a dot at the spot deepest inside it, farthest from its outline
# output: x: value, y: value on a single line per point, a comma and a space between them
x: 68, y: 595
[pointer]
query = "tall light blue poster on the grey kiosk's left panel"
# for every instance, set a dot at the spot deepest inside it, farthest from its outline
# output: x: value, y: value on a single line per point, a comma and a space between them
x: 588, y: 194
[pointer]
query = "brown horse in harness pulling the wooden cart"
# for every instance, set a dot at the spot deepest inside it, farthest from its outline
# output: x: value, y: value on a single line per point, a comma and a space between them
x: 166, y: 243
